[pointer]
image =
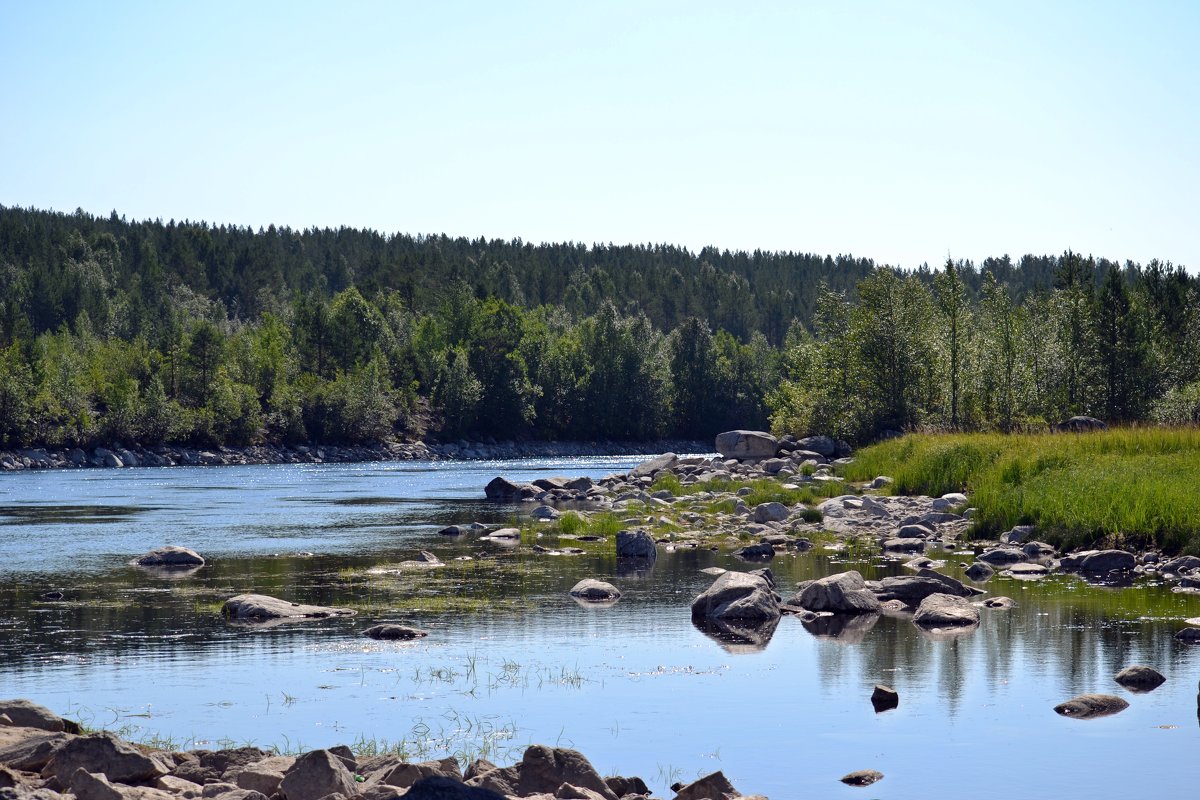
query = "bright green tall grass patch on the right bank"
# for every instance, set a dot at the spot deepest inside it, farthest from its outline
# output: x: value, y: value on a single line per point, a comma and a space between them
x: 1133, y: 488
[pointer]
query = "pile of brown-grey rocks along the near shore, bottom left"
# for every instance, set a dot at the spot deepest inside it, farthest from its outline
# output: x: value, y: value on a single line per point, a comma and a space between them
x: 45, y: 757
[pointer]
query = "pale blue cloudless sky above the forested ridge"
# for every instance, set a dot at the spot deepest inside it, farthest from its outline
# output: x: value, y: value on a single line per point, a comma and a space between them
x: 898, y: 131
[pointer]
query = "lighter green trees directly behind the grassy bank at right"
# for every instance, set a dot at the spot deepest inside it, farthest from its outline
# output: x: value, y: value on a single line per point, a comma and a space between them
x: 914, y: 354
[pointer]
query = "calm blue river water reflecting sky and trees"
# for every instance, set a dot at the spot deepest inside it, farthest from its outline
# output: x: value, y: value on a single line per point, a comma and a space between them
x: 513, y: 660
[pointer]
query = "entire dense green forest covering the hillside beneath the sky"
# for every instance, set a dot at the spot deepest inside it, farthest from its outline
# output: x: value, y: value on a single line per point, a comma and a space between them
x: 197, y: 334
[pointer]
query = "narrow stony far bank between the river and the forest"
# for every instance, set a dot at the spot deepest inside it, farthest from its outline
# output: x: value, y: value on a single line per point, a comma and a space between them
x: 118, y: 456
